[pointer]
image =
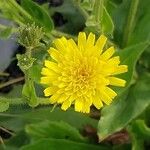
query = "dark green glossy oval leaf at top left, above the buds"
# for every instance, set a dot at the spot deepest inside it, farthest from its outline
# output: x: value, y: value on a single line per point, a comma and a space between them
x: 38, y: 14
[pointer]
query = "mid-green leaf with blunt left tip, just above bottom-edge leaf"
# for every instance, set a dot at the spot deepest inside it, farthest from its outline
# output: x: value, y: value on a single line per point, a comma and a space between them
x: 56, y: 130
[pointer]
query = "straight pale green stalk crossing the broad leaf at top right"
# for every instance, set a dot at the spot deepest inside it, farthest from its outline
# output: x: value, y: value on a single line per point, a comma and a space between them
x: 128, y: 28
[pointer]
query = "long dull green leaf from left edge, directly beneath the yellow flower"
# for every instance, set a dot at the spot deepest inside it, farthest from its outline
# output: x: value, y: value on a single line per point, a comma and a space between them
x: 17, y: 117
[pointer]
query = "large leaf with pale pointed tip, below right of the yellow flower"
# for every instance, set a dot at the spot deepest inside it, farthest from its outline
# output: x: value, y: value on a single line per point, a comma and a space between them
x: 124, y: 110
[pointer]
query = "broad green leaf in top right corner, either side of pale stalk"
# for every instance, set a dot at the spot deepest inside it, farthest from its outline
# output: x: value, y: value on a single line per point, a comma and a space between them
x: 139, y: 31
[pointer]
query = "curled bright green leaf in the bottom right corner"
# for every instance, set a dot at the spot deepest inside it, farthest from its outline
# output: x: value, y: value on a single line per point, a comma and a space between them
x: 140, y: 133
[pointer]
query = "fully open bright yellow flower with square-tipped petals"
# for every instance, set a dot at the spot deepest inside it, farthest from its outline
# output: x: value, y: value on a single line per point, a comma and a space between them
x: 81, y: 74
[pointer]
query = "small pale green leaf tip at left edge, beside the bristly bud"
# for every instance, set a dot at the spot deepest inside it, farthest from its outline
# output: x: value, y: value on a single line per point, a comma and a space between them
x: 5, y: 33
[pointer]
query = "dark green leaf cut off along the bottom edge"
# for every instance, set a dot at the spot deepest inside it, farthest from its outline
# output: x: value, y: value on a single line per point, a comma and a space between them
x: 56, y: 144
